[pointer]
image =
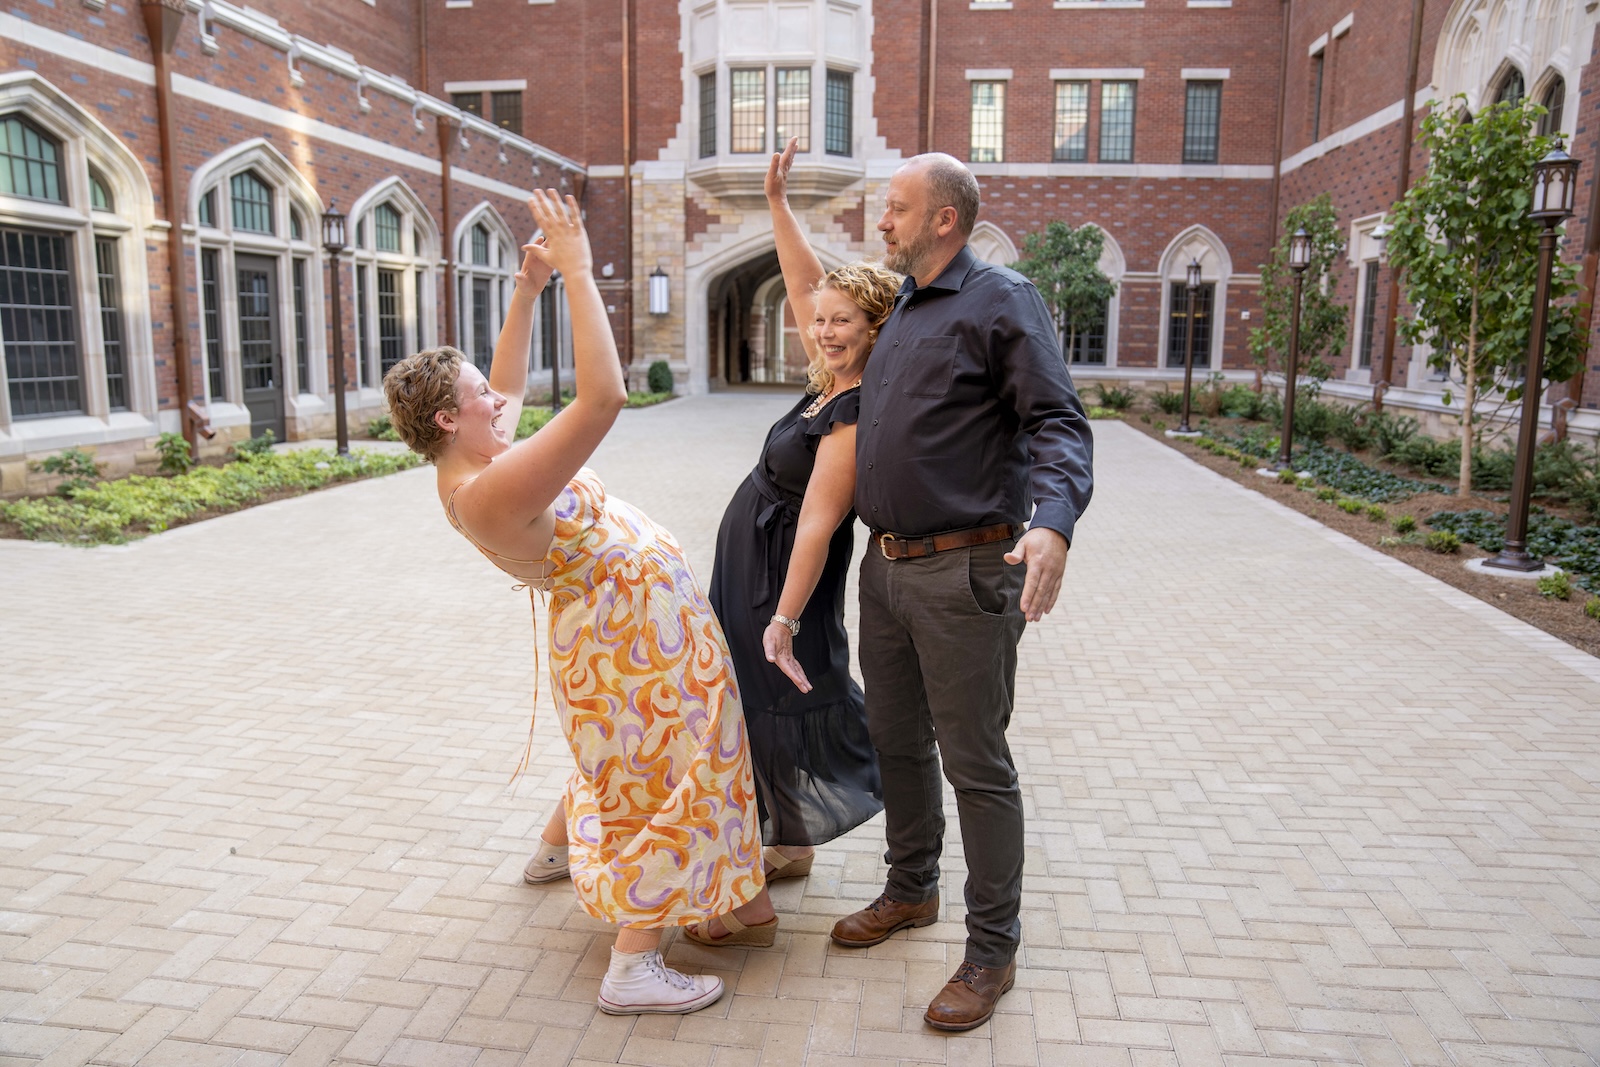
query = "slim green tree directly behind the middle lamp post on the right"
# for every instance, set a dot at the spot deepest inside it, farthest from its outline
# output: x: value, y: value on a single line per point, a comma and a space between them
x: 1324, y: 321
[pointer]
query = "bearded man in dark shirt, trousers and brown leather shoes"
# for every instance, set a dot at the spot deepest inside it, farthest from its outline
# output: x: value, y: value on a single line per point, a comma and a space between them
x: 969, y: 418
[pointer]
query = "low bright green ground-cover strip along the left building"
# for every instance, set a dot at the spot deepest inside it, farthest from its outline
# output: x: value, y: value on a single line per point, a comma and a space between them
x: 113, y: 513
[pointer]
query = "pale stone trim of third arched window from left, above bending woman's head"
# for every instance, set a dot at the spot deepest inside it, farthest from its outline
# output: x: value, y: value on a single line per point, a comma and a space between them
x: 420, y: 254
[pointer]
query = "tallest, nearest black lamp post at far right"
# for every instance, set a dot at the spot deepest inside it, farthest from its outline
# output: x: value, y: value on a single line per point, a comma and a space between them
x: 1554, y: 190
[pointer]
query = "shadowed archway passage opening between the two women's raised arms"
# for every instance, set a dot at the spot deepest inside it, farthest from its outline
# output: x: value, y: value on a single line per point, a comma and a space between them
x: 750, y: 329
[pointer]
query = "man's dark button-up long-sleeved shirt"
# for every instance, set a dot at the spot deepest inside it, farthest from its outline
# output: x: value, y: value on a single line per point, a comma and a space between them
x: 969, y: 415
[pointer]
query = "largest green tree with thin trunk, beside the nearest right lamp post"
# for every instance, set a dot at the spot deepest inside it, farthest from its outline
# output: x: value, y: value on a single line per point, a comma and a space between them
x: 1468, y: 255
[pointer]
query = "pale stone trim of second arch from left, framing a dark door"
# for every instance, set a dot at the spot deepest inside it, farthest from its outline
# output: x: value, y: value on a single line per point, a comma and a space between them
x: 290, y: 194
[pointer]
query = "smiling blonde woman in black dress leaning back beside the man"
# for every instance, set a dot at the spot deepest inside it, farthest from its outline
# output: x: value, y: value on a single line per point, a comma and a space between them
x: 778, y: 586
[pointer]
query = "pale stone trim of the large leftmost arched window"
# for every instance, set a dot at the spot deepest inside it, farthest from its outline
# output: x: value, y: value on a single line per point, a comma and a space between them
x: 87, y: 146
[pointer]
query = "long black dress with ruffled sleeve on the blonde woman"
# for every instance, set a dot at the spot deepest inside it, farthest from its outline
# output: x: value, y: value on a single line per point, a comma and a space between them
x: 817, y: 775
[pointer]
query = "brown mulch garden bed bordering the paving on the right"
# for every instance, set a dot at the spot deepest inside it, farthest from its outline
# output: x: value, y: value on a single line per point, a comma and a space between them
x: 1566, y: 620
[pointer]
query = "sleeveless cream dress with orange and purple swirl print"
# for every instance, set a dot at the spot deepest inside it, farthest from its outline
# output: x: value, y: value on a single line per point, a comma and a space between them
x: 662, y: 813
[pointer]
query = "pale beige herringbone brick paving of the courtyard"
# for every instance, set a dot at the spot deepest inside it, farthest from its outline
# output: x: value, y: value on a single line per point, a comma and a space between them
x: 1289, y: 802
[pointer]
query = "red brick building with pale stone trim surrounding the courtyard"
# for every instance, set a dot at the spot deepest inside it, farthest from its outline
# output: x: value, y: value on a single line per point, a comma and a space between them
x: 1183, y: 129
